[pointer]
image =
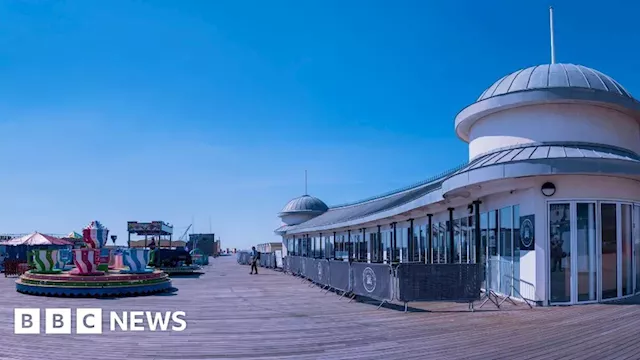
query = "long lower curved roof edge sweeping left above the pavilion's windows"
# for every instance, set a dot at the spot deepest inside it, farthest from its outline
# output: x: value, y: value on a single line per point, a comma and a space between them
x: 515, y: 161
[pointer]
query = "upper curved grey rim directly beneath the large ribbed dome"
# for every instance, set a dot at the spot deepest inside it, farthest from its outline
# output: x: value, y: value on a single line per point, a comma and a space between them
x: 472, y: 113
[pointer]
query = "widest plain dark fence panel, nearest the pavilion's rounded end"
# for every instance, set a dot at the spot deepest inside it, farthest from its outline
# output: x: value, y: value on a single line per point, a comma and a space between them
x: 439, y: 282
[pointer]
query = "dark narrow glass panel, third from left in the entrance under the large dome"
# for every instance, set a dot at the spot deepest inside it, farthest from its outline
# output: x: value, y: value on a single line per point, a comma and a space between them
x: 609, y: 236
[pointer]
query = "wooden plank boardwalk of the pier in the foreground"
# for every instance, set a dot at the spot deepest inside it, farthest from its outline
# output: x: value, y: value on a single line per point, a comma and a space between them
x: 232, y: 315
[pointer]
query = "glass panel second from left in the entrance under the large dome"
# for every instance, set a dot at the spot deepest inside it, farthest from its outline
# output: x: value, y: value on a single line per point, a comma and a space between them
x: 586, y: 256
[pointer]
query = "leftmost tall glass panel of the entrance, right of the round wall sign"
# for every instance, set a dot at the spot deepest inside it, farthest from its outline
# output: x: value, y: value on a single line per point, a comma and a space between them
x: 560, y: 254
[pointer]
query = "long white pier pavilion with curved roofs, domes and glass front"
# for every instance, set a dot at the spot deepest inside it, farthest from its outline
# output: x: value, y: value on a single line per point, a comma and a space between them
x: 549, y: 200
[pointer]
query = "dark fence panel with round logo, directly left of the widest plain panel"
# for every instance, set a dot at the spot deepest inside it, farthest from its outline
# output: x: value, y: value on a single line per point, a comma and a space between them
x: 372, y: 280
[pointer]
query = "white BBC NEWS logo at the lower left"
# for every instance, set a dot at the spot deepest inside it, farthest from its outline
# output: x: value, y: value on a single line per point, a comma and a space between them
x: 89, y: 321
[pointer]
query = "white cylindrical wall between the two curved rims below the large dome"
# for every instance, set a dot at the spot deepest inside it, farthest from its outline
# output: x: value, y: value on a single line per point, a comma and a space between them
x: 554, y: 122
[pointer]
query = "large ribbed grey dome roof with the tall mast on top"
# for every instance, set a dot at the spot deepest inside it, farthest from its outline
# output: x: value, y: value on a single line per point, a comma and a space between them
x: 554, y: 76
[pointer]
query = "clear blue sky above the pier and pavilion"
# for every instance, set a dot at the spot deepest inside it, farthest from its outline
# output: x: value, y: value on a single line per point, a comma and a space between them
x: 168, y: 110
